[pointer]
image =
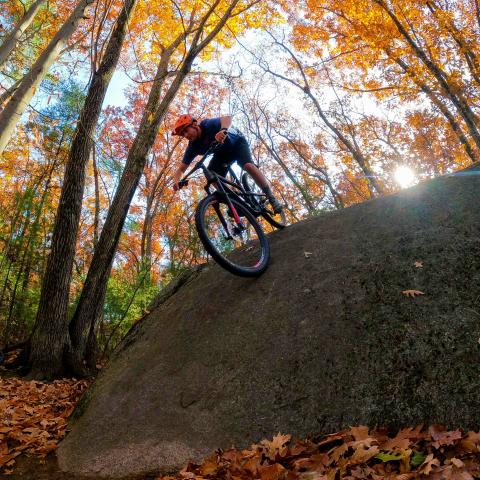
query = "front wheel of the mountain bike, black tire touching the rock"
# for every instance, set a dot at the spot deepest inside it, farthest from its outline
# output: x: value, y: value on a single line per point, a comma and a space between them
x: 238, y: 244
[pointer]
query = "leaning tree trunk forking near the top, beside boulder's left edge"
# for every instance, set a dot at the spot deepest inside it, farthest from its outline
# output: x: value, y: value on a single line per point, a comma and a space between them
x: 87, y: 313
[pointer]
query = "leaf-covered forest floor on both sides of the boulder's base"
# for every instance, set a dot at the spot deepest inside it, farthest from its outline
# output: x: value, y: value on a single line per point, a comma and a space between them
x: 34, y: 419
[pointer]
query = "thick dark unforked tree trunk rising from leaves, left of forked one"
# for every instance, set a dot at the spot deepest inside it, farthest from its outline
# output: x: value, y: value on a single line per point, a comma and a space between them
x: 50, y: 336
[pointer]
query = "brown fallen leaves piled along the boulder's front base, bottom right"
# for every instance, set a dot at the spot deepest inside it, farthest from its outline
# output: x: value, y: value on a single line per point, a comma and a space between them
x: 355, y: 453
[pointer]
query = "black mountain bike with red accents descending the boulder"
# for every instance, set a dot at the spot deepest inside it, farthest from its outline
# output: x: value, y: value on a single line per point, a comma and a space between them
x: 226, y: 220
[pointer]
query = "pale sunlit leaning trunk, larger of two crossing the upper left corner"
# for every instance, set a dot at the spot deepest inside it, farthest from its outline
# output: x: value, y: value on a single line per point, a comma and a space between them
x: 23, y: 94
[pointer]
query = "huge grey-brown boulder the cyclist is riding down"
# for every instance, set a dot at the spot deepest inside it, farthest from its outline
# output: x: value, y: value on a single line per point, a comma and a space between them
x: 325, y: 338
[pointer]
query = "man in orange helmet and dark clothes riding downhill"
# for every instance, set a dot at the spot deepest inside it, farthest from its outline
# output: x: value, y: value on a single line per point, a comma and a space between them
x: 200, y: 136
